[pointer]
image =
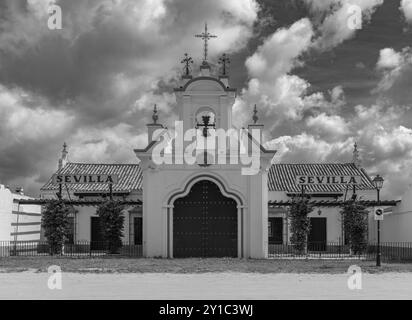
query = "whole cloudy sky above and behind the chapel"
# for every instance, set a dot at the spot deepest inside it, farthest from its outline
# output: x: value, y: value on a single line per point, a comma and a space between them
x: 319, y: 85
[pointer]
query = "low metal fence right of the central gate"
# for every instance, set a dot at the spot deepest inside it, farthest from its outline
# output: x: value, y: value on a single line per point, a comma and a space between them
x: 390, y: 251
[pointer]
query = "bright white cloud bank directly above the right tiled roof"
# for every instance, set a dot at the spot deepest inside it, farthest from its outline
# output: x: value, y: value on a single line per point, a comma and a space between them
x: 385, y: 145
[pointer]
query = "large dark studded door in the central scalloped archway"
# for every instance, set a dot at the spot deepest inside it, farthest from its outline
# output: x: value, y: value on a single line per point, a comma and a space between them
x: 205, y: 223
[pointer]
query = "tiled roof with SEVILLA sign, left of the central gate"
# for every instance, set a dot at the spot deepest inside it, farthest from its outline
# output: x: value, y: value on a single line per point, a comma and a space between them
x: 130, y: 177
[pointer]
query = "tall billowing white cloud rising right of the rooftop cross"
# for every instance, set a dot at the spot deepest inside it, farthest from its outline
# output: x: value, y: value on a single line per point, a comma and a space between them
x: 271, y: 85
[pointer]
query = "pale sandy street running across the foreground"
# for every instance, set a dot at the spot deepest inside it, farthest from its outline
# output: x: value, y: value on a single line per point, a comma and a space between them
x: 30, y: 285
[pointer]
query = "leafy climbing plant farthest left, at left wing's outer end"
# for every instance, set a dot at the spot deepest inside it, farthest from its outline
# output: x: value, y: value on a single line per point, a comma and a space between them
x: 56, y: 224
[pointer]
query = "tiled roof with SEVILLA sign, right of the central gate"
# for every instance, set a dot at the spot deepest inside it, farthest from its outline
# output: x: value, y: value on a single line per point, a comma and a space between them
x: 282, y: 177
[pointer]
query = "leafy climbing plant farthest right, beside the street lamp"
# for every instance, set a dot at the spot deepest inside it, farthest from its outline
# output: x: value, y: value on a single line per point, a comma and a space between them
x: 355, y: 221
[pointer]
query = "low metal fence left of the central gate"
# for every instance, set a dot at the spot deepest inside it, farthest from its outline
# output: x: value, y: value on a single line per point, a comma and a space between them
x: 76, y: 249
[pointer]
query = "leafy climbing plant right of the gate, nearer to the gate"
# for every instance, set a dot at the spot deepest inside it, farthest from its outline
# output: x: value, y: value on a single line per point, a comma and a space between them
x: 300, y: 224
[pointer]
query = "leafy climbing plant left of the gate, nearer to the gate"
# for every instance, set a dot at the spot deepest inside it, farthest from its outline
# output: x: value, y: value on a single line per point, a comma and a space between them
x: 112, y: 224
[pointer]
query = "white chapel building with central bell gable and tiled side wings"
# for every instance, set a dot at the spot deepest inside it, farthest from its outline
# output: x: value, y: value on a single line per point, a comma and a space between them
x: 209, y: 207
